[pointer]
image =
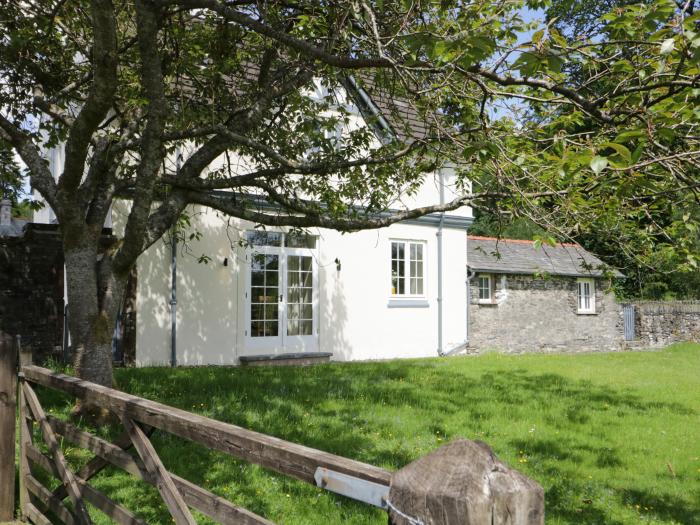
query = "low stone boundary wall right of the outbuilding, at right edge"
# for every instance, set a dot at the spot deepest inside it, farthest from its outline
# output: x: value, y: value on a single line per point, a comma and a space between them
x: 660, y: 323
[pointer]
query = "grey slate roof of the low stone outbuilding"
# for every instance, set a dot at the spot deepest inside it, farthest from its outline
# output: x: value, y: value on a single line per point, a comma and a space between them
x: 488, y: 254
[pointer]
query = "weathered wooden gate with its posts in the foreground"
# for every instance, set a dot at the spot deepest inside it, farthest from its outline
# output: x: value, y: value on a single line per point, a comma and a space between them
x: 462, y: 482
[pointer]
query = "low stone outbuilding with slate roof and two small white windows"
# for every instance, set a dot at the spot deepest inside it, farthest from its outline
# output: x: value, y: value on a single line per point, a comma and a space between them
x: 526, y: 298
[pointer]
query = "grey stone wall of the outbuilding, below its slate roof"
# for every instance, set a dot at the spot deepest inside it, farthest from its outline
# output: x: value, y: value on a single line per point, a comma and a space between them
x: 539, y: 314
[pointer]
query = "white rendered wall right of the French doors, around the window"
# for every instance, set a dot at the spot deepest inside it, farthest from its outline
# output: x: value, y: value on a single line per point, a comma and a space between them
x: 357, y: 321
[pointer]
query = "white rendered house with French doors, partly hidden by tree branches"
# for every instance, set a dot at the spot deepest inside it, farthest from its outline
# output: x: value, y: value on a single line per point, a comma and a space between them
x: 279, y: 295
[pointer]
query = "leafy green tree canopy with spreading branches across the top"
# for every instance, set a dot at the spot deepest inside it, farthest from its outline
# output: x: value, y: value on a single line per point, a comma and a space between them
x: 597, y: 132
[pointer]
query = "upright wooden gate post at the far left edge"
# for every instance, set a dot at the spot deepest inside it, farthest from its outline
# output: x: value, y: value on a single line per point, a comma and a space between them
x: 8, y: 407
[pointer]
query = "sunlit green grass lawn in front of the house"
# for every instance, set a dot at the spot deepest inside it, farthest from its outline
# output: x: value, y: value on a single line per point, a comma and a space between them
x: 612, y: 438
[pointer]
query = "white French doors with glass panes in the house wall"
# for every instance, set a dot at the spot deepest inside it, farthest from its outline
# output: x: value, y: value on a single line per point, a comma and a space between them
x: 281, y: 299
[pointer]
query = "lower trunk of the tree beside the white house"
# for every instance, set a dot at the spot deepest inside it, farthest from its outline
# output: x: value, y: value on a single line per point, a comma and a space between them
x: 94, y: 295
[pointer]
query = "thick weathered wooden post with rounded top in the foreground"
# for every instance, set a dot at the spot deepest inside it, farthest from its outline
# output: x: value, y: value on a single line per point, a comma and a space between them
x: 463, y: 483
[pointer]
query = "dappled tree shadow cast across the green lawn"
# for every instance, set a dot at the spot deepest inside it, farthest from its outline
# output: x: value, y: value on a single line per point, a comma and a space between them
x: 338, y: 399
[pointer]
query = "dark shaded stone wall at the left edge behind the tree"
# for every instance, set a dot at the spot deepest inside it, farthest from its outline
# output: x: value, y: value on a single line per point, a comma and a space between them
x: 31, y: 289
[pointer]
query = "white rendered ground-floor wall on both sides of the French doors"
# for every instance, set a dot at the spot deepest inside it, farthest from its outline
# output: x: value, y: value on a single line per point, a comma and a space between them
x: 356, y: 321
